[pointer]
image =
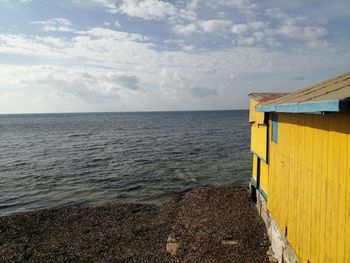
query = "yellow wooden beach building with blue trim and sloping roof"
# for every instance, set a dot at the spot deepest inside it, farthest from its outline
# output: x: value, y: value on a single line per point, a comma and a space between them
x: 301, y: 170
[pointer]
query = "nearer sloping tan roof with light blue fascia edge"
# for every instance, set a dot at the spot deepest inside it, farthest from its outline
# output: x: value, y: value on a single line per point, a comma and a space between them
x: 332, y: 95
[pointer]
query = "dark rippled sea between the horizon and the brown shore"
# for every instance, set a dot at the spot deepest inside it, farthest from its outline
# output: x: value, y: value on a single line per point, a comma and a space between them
x: 55, y: 160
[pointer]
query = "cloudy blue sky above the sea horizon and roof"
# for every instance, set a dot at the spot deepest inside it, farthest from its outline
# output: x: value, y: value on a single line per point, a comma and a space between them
x: 152, y: 55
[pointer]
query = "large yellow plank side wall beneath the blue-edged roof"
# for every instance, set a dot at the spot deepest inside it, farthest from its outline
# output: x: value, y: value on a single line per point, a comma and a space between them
x: 309, y: 184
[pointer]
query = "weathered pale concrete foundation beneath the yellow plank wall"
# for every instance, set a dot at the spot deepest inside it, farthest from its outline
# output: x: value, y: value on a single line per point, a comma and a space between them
x: 279, y: 244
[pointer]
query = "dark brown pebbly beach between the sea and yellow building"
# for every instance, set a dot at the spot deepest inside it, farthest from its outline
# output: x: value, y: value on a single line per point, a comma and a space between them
x: 208, y: 224
